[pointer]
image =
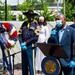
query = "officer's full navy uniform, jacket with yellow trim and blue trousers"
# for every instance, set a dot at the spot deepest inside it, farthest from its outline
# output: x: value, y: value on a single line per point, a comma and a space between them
x: 29, y: 34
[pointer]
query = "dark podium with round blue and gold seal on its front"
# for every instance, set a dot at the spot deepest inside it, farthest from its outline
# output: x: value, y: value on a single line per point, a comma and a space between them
x: 50, y: 64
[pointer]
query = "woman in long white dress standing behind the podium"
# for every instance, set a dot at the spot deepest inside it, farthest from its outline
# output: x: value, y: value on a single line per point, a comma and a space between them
x: 43, y: 37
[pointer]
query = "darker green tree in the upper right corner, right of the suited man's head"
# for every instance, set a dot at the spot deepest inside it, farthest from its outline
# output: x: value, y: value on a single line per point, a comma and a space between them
x: 70, y: 8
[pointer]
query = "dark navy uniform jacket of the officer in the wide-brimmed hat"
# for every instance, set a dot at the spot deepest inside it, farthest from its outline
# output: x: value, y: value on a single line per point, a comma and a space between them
x: 28, y: 34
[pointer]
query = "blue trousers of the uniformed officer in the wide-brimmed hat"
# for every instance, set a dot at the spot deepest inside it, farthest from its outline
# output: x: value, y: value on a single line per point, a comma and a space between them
x: 27, y: 61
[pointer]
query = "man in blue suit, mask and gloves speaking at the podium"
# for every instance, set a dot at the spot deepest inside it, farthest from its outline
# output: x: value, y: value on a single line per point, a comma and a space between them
x: 64, y: 35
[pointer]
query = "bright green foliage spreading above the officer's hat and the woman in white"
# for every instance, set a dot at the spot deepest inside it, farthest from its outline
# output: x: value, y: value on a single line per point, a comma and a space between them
x: 40, y: 5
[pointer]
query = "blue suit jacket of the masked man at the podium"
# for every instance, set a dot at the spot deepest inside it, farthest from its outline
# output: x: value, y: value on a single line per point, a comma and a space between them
x: 67, y: 44
